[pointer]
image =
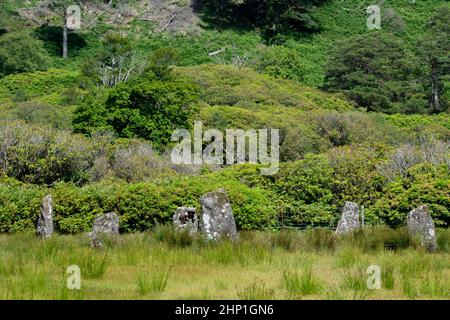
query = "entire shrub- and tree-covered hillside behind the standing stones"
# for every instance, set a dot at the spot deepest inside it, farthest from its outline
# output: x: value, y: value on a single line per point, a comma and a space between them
x: 363, y: 114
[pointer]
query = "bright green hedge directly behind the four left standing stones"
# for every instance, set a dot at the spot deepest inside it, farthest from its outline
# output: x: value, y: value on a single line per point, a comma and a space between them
x: 139, y: 206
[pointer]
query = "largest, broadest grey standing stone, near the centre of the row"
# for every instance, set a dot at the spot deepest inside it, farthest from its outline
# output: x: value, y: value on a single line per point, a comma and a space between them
x: 217, y: 219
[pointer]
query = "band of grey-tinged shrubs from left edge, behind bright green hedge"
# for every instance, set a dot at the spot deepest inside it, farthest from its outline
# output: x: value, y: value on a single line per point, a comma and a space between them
x: 43, y: 155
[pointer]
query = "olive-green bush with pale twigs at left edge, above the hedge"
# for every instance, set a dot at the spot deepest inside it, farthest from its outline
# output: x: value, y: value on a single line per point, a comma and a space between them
x: 35, y: 154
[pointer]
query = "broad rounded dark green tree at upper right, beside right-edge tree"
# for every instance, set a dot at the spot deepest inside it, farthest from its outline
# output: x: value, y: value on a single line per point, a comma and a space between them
x: 377, y: 72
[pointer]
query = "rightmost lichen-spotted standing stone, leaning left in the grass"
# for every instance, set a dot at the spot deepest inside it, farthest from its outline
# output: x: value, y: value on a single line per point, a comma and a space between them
x: 421, y: 225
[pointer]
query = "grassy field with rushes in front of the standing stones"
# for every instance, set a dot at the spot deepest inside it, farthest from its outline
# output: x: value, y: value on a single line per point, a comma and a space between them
x: 167, y: 265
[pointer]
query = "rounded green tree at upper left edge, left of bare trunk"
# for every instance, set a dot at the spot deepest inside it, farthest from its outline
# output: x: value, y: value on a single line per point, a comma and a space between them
x: 21, y: 53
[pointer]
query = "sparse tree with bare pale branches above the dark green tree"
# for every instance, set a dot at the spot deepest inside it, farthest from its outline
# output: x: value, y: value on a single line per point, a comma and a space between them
x: 115, y: 63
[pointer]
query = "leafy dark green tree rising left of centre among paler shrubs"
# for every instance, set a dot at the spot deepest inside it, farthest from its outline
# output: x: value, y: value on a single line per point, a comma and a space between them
x: 146, y: 108
